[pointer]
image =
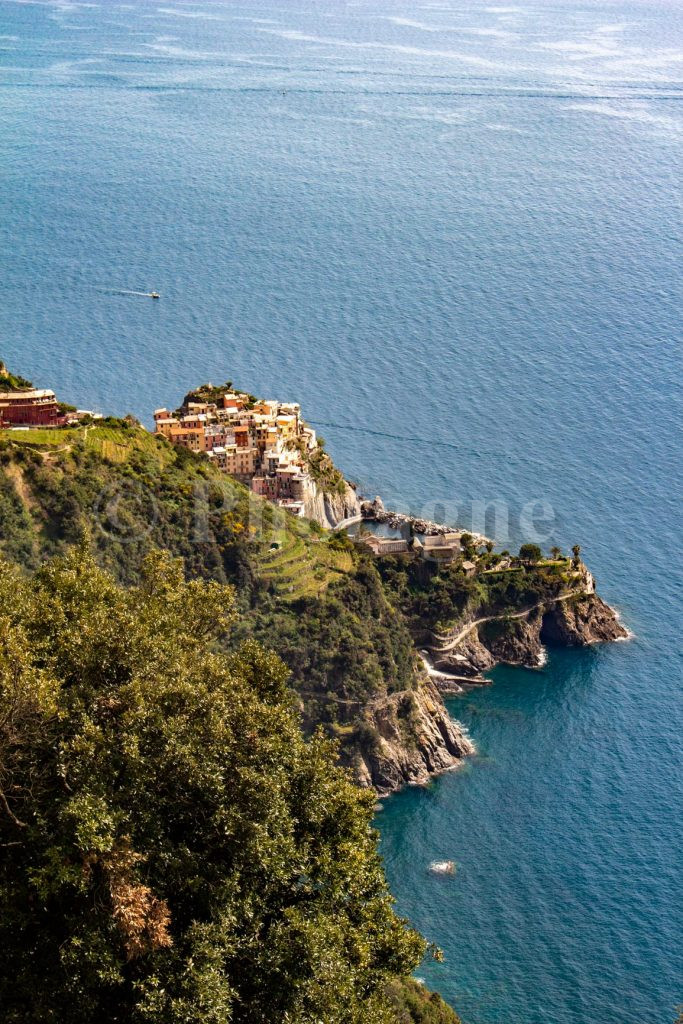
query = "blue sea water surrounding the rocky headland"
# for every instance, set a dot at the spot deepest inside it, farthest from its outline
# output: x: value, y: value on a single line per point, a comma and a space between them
x: 453, y: 231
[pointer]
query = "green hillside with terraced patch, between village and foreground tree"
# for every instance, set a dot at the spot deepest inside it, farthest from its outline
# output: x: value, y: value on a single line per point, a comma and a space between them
x: 305, y: 593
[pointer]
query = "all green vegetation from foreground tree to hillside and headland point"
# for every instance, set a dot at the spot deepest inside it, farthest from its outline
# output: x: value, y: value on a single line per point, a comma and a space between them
x: 249, y: 889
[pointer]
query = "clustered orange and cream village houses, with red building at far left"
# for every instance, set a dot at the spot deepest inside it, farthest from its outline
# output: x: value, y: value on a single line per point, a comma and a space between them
x: 266, y: 445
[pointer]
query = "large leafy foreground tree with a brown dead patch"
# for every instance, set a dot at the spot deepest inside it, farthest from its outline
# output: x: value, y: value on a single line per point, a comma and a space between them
x: 174, y: 850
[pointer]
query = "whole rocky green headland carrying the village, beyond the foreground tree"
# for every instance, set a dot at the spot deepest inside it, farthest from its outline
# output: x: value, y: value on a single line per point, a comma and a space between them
x: 373, y: 644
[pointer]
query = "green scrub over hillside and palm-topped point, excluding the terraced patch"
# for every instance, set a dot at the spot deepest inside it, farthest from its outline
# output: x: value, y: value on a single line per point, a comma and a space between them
x: 350, y: 644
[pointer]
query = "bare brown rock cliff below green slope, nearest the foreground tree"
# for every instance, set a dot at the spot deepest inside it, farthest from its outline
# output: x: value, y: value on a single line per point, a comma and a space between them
x: 414, y: 739
